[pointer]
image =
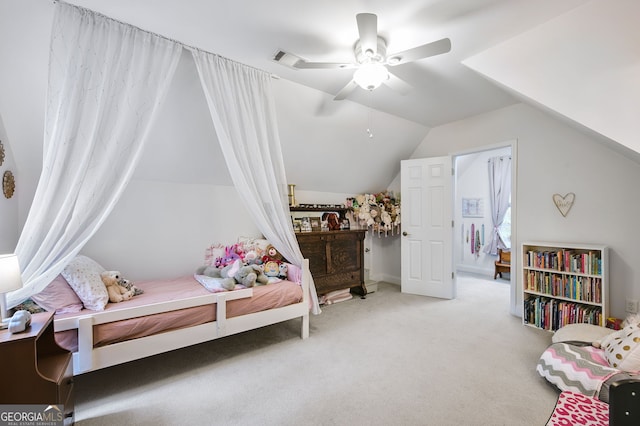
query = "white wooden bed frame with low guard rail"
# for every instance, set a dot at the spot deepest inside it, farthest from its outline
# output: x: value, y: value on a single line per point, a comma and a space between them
x: 88, y: 358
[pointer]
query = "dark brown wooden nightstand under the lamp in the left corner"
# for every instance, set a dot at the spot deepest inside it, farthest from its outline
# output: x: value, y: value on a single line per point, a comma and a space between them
x: 35, y: 369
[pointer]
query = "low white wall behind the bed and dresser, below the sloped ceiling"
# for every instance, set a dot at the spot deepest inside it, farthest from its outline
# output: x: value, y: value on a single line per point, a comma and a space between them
x: 161, y: 229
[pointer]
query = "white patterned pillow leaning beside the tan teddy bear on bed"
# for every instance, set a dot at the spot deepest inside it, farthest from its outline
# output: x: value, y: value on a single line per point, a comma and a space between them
x: 83, y: 276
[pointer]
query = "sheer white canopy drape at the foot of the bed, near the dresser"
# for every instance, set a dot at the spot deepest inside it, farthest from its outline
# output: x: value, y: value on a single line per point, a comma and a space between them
x: 243, y: 112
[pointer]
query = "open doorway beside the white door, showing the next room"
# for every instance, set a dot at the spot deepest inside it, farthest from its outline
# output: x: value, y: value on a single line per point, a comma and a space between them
x: 474, y: 246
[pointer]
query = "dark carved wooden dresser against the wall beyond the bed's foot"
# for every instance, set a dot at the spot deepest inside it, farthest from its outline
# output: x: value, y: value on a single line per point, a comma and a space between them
x: 335, y: 259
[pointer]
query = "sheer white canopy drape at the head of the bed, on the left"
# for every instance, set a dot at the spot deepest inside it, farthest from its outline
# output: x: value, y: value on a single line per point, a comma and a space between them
x: 106, y: 80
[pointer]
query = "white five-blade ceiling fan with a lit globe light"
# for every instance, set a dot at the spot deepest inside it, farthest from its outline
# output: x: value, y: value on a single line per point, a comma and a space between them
x: 371, y: 59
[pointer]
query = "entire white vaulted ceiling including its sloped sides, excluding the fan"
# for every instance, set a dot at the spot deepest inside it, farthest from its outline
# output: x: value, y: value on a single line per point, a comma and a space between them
x: 577, y: 59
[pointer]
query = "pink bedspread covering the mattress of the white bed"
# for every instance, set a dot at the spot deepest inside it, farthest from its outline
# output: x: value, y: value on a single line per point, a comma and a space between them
x: 264, y: 297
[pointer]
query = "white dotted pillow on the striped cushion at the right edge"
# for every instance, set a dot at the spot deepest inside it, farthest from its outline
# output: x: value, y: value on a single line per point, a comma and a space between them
x: 622, y: 349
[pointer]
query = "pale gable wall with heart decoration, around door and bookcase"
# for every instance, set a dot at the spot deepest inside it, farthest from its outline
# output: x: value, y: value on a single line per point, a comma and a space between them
x: 555, y: 158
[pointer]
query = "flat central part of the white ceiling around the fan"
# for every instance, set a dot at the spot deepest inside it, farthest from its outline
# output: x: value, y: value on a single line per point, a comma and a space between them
x: 251, y: 31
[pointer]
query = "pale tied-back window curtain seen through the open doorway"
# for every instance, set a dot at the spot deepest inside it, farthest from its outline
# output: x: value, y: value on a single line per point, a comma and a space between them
x: 499, y: 196
